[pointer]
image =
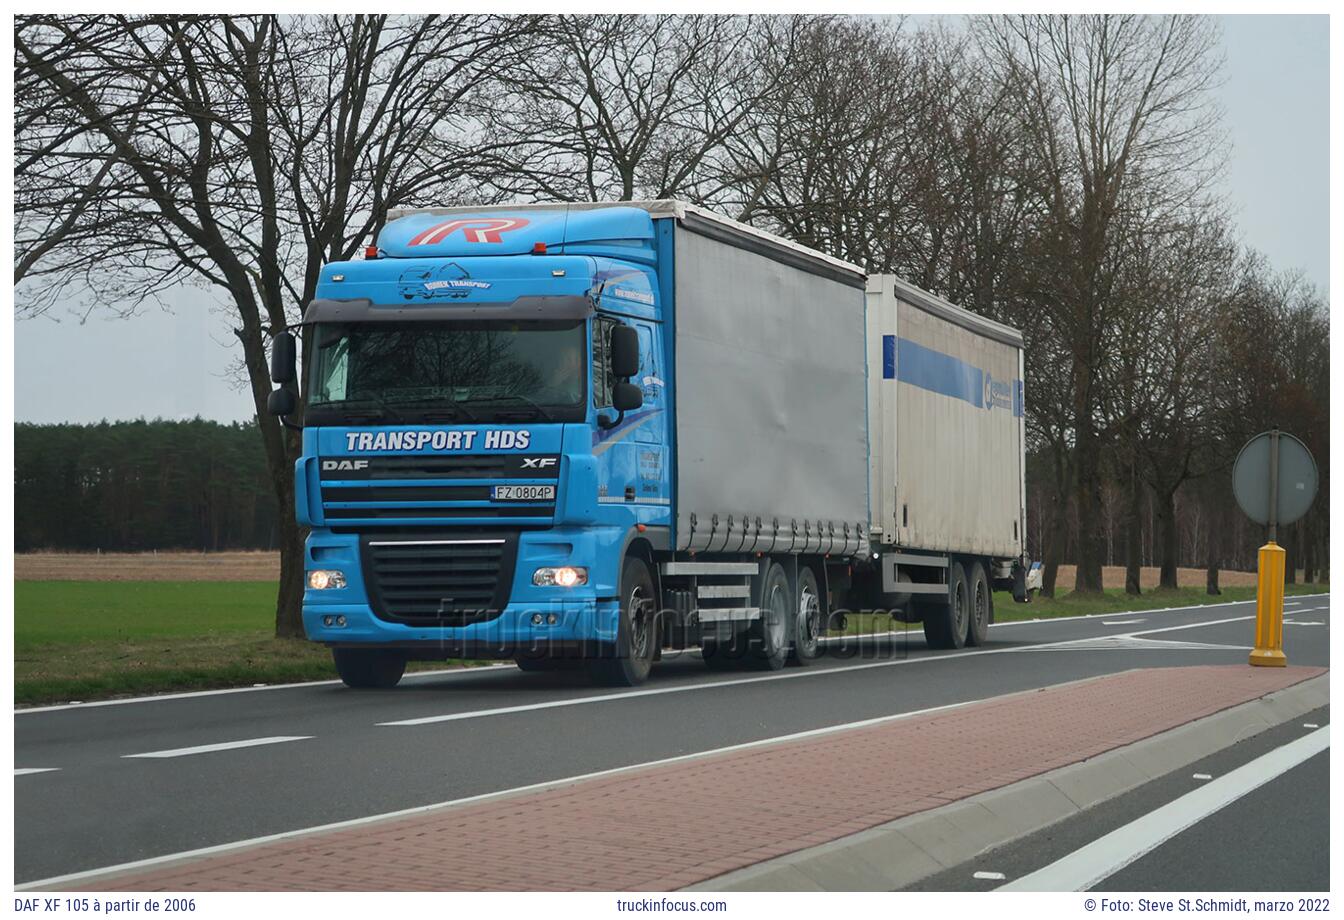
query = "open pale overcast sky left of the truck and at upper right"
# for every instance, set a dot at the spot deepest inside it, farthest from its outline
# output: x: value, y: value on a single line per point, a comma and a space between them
x: 175, y: 365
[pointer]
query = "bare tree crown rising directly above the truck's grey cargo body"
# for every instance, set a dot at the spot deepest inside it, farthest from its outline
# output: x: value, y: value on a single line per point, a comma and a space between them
x: 616, y: 107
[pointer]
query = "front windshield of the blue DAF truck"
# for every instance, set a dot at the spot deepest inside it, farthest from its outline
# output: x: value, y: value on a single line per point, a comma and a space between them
x: 478, y: 371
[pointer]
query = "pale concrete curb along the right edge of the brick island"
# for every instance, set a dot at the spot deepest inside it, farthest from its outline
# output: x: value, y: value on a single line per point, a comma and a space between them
x: 902, y: 852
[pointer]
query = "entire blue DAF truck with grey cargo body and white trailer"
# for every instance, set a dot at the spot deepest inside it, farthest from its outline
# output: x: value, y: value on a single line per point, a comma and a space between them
x: 591, y: 434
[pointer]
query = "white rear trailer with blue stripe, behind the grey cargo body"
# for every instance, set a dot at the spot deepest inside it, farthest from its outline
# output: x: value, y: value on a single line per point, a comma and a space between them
x: 947, y: 461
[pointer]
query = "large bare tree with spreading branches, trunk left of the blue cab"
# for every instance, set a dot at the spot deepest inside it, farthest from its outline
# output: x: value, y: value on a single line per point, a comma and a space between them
x: 237, y: 154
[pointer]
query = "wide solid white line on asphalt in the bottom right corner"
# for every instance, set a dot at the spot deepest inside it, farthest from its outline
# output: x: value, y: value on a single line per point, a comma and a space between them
x: 1108, y: 855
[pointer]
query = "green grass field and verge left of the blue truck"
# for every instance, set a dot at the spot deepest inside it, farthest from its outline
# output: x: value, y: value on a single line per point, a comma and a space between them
x: 99, y: 640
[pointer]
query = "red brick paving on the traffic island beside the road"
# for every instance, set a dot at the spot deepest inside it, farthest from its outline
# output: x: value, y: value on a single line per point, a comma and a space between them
x: 670, y: 827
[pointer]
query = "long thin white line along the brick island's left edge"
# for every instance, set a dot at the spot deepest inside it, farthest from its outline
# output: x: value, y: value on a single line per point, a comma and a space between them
x: 550, y: 784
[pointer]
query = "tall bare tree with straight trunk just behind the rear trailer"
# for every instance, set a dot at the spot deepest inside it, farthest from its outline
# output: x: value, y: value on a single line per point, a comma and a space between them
x: 1107, y: 103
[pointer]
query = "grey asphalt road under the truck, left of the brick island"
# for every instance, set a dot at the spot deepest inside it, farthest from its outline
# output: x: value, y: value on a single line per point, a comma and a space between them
x: 99, y: 804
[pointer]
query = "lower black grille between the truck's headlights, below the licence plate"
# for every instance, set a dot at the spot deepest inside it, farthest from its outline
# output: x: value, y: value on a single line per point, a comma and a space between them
x: 443, y: 581
